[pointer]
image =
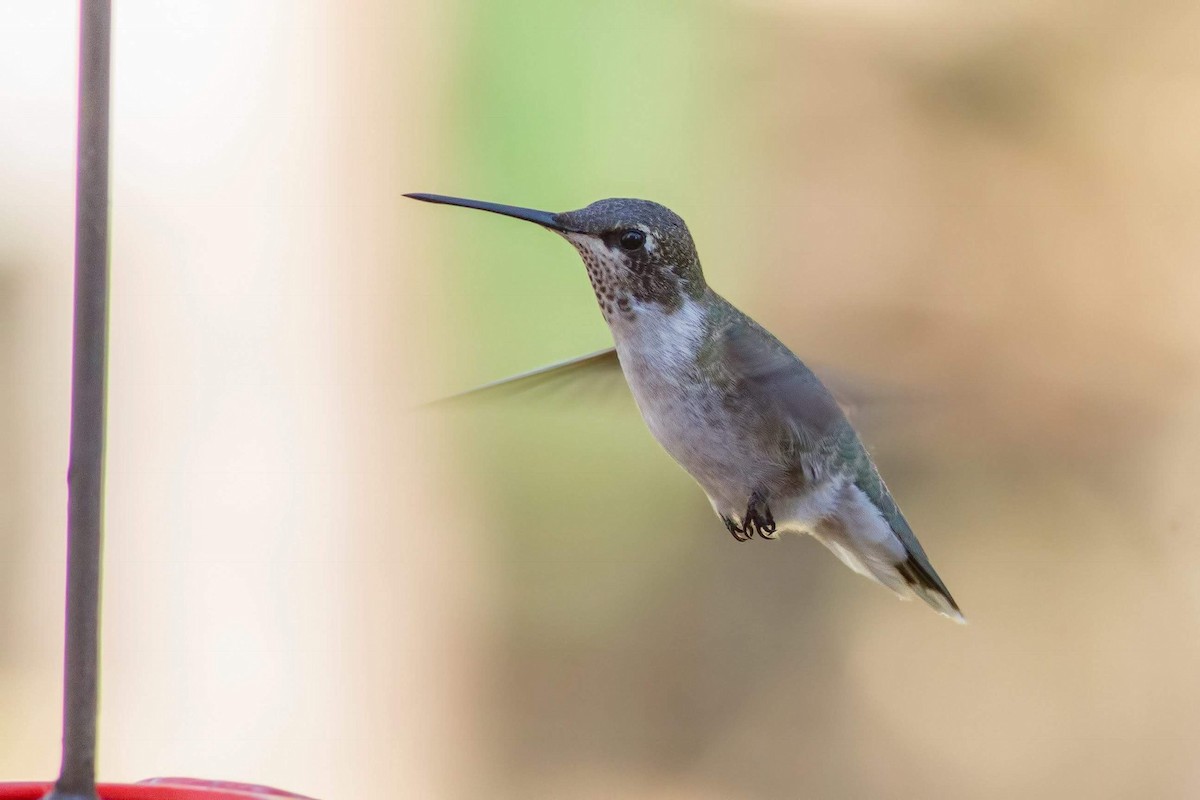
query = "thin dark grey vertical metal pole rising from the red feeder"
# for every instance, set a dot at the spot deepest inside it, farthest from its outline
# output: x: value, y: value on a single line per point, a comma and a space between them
x: 86, y: 474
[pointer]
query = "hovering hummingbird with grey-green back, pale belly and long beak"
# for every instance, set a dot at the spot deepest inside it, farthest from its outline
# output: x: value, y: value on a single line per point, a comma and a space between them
x: 760, y: 434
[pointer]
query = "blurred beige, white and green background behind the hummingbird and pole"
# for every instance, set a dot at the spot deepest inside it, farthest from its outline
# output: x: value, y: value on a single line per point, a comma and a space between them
x: 986, y: 212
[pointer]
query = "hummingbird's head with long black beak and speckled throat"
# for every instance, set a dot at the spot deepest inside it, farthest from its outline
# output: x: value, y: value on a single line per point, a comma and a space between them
x: 637, y: 252
